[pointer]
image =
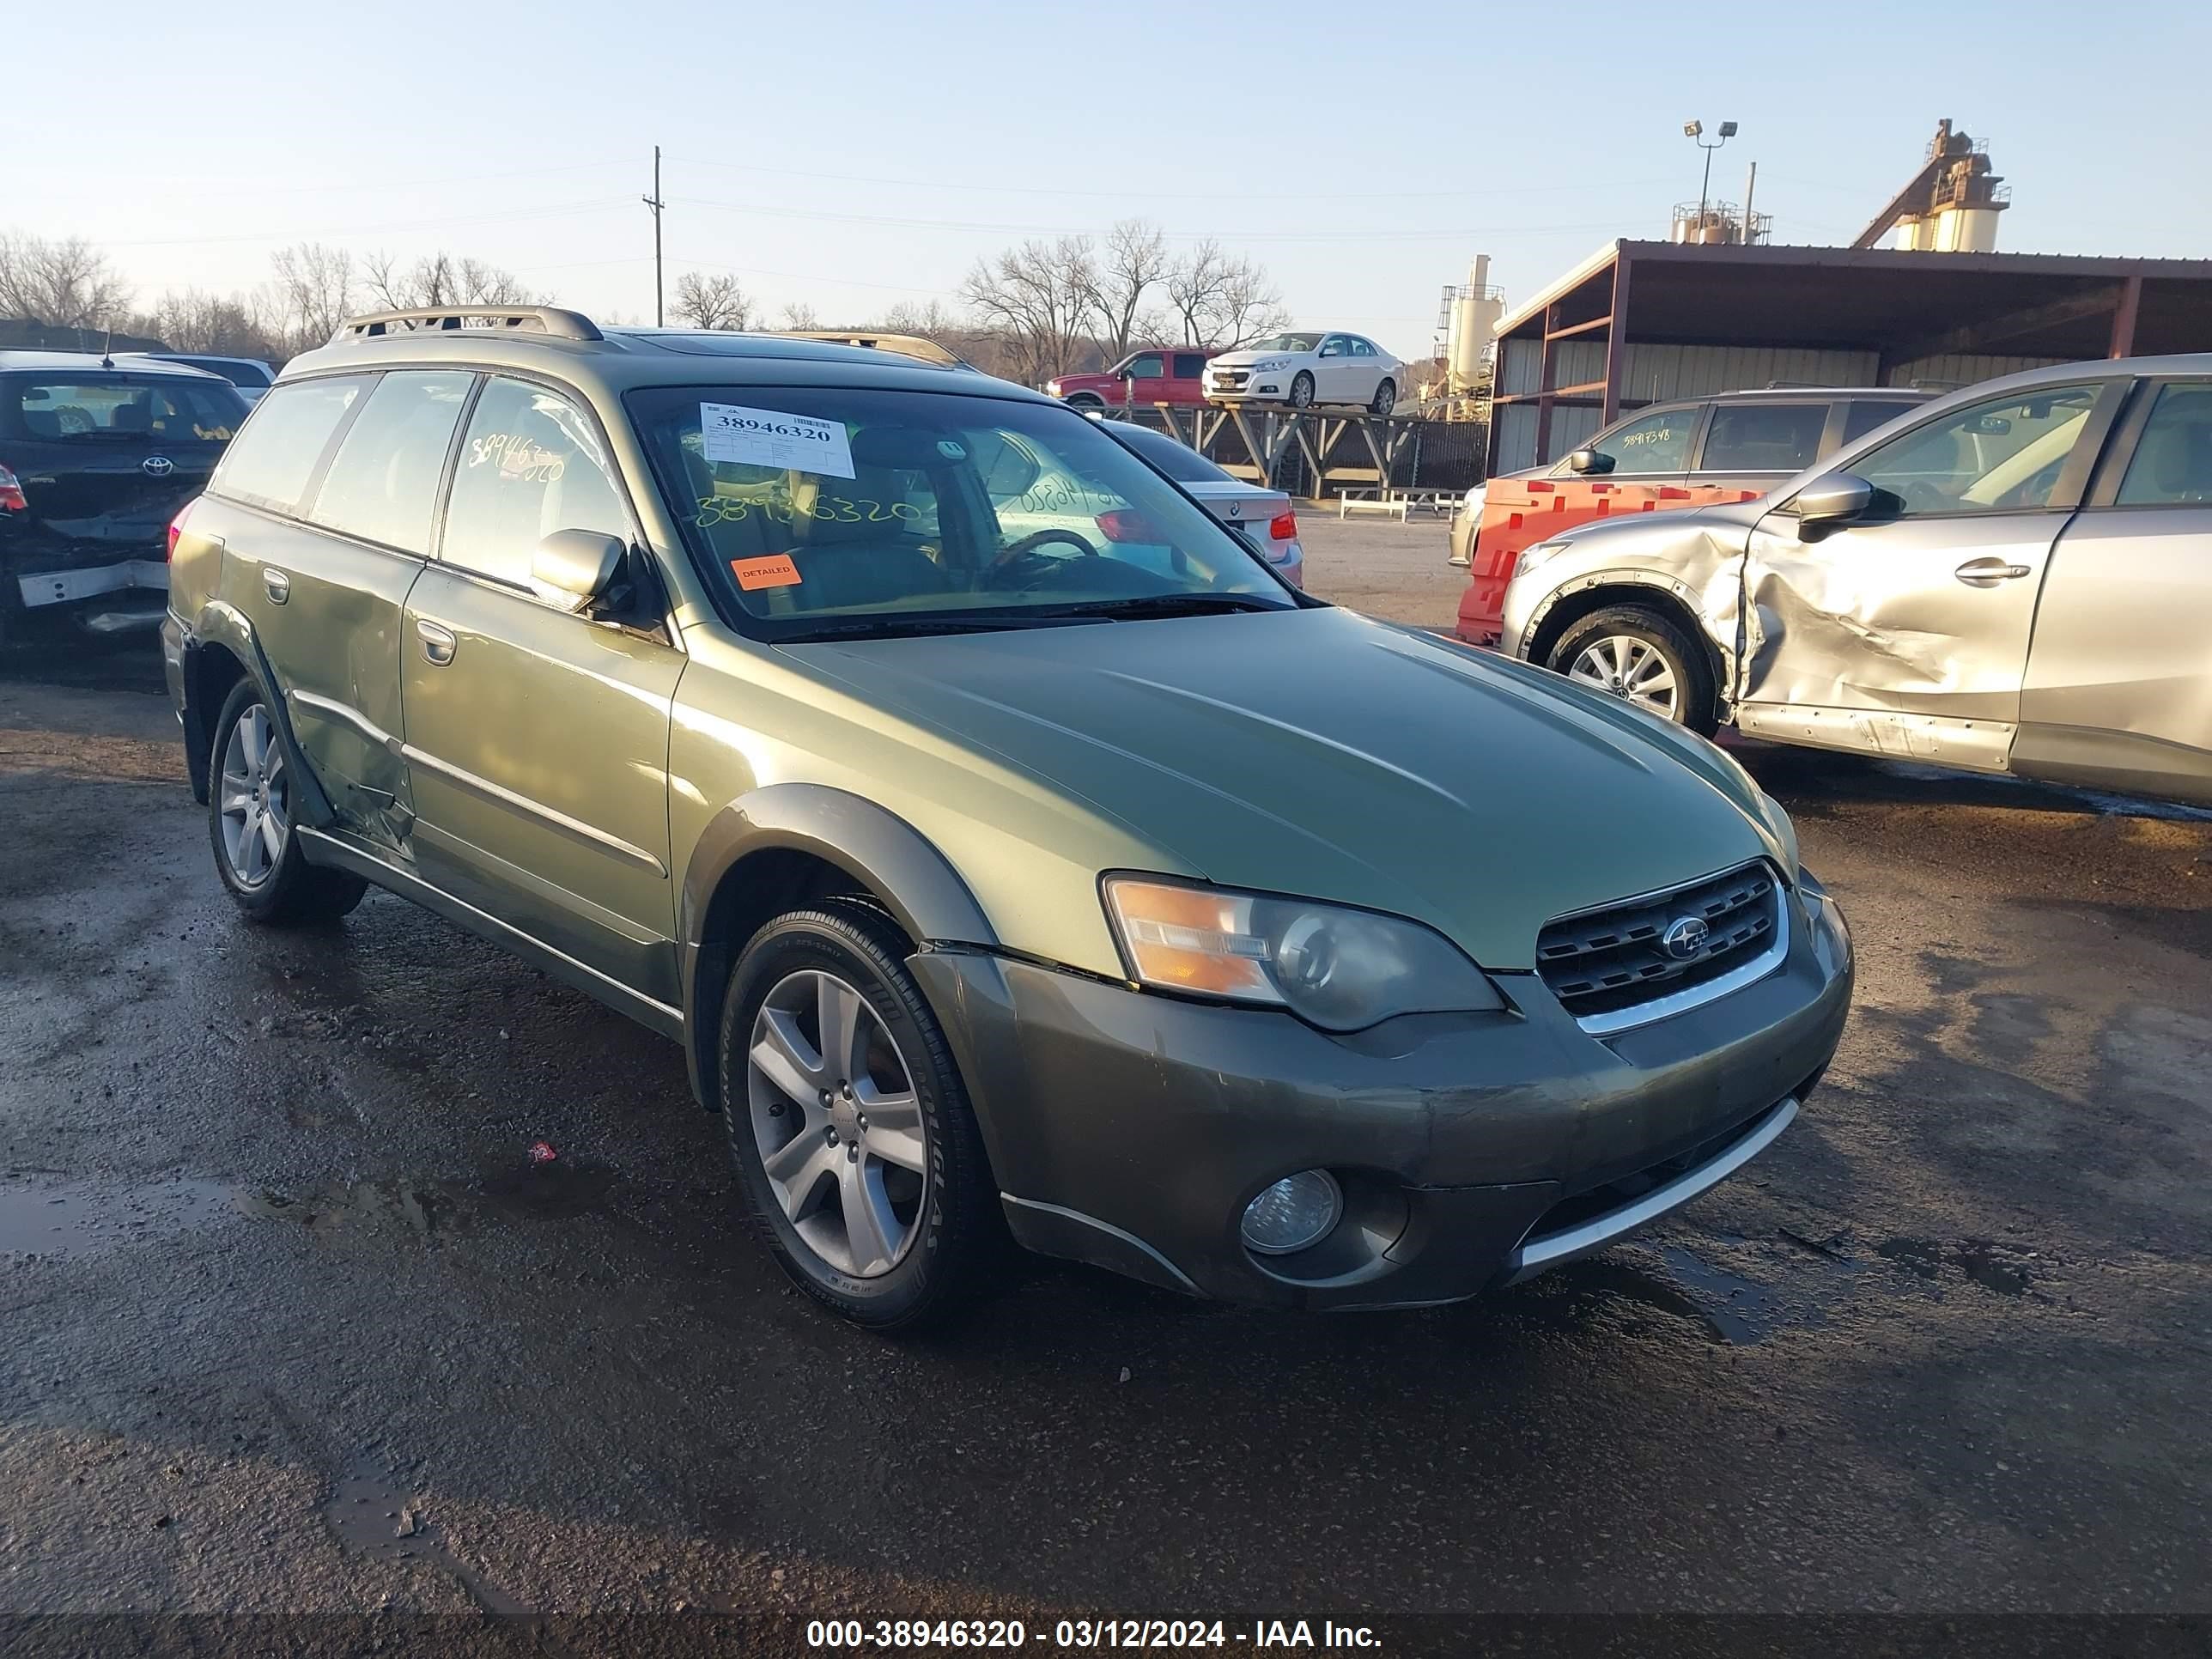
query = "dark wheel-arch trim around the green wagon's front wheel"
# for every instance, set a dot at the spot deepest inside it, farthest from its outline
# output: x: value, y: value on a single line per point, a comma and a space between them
x: 877, y: 848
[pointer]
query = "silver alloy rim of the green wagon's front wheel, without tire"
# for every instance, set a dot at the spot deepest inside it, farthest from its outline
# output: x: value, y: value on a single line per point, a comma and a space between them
x: 837, y: 1123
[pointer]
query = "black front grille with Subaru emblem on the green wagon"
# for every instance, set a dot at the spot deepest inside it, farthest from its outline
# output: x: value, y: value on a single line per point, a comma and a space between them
x: 1616, y: 961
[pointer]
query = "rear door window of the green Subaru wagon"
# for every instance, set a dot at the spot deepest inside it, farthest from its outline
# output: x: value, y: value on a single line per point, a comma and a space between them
x: 384, y: 481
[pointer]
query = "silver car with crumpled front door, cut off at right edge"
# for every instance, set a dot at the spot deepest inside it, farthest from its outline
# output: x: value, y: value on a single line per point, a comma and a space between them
x: 2016, y: 578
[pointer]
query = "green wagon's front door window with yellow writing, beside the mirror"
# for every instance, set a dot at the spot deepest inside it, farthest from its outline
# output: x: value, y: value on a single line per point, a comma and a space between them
x: 530, y: 463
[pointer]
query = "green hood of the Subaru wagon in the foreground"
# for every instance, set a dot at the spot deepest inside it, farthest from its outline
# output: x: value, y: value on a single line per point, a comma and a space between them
x: 1326, y: 755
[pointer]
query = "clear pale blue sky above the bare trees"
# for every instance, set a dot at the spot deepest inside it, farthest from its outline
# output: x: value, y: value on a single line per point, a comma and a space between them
x: 855, y: 156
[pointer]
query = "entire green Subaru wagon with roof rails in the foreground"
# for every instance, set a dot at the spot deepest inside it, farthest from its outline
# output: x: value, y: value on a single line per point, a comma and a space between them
x: 1003, y: 842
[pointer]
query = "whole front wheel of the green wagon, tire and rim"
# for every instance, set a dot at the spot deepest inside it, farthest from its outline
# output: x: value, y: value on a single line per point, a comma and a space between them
x: 853, y: 1136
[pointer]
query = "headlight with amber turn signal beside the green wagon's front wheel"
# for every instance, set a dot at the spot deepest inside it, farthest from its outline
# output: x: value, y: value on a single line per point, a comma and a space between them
x: 1335, y: 968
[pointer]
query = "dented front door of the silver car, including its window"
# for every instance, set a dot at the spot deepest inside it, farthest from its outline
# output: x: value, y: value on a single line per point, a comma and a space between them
x: 1908, y: 632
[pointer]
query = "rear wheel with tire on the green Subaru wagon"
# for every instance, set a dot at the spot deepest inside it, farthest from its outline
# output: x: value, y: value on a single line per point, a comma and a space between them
x: 251, y: 824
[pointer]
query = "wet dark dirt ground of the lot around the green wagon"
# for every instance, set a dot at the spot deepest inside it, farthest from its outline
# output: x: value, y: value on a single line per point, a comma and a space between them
x: 293, y: 1324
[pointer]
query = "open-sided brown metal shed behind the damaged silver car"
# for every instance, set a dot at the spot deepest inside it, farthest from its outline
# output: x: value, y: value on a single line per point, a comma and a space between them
x: 1645, y: 322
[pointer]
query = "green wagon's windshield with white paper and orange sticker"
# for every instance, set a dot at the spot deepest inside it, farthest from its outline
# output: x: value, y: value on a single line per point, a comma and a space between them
x: 877, y: 512
